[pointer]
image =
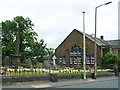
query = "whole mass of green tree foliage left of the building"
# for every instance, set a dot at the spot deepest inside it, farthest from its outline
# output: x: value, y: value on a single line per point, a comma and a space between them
x: 29, y: 46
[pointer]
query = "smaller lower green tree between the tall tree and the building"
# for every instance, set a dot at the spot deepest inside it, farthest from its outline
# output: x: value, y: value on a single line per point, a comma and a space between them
x: 39, y: 51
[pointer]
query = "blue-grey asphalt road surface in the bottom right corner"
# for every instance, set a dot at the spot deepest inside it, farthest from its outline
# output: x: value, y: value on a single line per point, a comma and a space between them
x: 103, y: 84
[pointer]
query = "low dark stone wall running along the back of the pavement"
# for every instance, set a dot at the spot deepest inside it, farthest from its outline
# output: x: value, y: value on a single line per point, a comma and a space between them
x: 28, y: 78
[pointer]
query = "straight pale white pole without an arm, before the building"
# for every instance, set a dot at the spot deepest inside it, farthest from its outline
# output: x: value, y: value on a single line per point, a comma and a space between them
x: 84, y: 48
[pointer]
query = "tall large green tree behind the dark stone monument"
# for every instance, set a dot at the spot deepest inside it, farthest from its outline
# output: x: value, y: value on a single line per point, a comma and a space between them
x: 22, y: 26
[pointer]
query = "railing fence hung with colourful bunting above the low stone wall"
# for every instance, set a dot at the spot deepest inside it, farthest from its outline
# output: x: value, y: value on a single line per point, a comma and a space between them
x: 41, y: 71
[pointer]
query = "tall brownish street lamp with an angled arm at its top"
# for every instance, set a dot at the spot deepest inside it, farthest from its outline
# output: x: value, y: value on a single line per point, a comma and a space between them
x: 95, y: 61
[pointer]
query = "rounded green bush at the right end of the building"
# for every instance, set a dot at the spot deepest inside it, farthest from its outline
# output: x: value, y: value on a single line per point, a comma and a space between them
x: 110, y: 58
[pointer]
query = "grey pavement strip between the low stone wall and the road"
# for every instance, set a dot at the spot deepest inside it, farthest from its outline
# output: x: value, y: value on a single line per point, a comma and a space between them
x: 60, y: 83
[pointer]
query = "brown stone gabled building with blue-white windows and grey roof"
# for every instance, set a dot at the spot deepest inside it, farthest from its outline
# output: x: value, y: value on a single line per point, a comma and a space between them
x: 70, y: 52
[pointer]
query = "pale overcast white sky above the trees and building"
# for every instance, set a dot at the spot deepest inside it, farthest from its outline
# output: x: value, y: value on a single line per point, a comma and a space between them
x: 54, y: 20
